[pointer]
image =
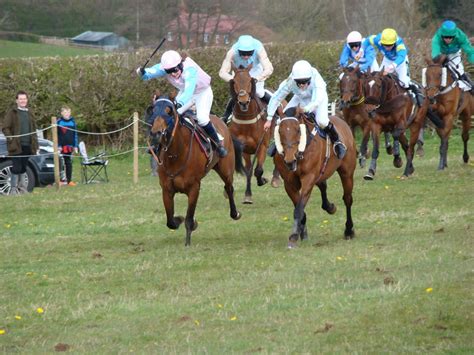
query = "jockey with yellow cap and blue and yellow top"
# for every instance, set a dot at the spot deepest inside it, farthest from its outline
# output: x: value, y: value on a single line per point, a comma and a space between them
x: 395, y: 58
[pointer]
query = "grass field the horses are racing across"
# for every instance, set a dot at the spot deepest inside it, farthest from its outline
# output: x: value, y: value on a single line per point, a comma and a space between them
x: 94, y: 268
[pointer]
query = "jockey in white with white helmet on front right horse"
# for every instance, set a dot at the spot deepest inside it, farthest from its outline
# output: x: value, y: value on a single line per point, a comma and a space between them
x: 309, y: 90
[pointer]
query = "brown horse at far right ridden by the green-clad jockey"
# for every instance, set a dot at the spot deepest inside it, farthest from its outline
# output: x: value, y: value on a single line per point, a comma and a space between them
x: 448, y: 101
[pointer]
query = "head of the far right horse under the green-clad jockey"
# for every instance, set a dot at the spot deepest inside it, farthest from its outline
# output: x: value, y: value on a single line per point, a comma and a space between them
x: 434, y: 77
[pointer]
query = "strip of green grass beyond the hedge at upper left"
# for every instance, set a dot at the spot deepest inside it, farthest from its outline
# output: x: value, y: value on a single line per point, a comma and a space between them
x: 11, y: 49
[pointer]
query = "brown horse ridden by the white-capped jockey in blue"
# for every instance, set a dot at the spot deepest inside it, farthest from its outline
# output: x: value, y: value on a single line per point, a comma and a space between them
x: 352, y: 104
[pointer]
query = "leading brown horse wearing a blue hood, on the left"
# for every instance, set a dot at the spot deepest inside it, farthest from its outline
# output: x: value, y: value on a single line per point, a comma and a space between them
x: 183, y: 161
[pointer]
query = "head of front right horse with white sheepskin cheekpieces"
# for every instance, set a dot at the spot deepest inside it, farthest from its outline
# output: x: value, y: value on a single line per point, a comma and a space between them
x: 290, y: 138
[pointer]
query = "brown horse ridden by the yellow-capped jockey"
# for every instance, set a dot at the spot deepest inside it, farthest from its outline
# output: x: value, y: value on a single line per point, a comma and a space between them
x: 393, y: 111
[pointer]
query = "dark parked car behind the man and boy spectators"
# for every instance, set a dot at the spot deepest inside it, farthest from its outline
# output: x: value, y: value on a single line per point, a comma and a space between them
x: 40, y: 169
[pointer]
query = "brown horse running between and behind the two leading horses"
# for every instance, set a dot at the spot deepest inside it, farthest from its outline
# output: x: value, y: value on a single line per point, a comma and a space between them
x: 248, y: 117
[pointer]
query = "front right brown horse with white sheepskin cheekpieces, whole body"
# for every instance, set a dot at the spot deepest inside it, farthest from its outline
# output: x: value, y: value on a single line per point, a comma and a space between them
x: 303, y: 165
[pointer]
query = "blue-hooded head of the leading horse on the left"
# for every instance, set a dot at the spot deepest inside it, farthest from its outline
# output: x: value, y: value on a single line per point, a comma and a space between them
x: 165, y: 116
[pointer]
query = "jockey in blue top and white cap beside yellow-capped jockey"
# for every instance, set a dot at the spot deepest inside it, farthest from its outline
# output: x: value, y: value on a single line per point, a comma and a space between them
x: 359, y: 51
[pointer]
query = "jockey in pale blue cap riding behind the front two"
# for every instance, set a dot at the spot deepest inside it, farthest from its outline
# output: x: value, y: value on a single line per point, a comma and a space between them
x: 247, y: 50
